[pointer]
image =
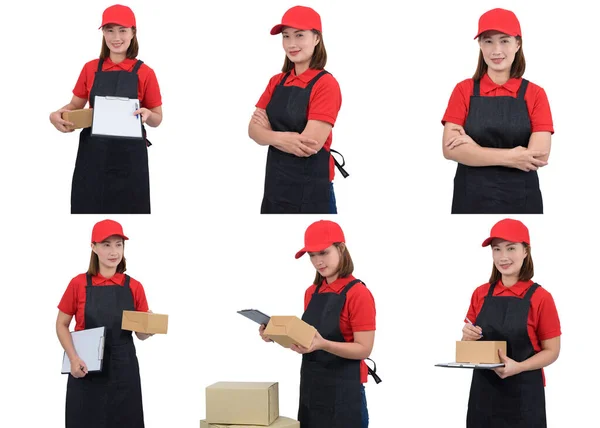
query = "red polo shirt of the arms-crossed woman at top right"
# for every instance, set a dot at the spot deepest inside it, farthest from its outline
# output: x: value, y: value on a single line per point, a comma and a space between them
x: 535, y: 98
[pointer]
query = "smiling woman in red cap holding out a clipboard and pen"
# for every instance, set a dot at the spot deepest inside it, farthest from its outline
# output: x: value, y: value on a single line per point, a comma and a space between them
x: 111, y: 173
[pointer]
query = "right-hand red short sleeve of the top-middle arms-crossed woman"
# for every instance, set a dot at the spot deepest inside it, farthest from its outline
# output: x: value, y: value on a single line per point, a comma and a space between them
x: 325, y: 100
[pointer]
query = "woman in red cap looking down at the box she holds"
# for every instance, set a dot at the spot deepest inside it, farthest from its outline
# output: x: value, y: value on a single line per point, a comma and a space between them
x: 342, y: 309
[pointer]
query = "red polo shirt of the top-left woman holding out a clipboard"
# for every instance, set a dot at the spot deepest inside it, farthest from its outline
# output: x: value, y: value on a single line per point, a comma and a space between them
x: 148, y: 89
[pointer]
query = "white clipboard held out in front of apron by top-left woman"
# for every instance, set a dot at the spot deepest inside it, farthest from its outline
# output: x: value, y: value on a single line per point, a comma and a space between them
x: 113, y: 117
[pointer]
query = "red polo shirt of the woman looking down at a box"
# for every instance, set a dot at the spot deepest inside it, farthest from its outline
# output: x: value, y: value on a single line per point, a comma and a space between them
x: 358, y: 313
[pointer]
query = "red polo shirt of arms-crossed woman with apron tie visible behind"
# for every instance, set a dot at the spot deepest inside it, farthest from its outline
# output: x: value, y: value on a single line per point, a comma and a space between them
x: 324, y: 103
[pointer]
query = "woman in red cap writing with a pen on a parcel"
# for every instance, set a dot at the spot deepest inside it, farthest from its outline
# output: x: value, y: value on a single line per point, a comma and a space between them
x: 512, y: 308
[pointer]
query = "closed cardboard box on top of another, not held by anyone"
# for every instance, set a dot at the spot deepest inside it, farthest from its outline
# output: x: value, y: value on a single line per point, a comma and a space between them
x: 242, y: 403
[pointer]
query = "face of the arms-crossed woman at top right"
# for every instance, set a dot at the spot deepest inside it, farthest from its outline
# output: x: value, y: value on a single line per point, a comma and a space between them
x: 498, y: 50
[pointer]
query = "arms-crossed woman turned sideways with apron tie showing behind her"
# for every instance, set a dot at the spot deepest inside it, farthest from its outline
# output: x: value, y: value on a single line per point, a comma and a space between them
x: 294, y: 117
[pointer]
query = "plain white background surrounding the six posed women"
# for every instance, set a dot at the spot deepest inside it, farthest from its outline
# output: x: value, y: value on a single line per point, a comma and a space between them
x: 205, y: 252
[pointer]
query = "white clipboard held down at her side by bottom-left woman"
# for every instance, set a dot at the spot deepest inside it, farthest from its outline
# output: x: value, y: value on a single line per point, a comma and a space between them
x: 89, y: 345
